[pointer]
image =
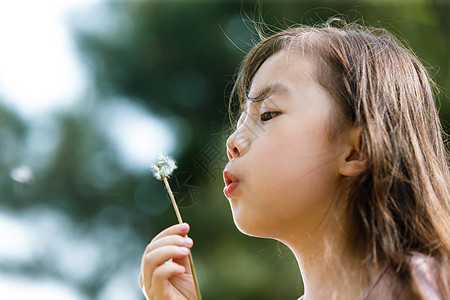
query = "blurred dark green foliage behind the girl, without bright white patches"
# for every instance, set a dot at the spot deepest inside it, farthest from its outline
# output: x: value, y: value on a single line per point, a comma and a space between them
x: 176, y: 58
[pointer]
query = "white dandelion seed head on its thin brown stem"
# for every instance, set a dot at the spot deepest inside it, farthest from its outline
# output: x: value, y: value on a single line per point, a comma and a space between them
x: 164, y: 168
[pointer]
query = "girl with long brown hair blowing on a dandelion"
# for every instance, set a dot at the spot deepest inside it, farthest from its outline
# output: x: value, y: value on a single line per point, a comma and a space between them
x: 338, y: 153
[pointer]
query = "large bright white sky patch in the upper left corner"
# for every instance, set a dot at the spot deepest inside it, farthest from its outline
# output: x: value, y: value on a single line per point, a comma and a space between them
x: 39, y: 72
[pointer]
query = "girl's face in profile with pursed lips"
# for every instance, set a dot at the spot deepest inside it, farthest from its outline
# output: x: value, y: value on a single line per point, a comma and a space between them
x: 283, y: 168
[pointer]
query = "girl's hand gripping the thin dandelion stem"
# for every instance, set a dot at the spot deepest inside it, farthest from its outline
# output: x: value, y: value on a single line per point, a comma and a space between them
x: 162, y: 279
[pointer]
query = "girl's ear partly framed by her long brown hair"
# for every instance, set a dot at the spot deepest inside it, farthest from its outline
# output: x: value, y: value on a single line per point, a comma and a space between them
x: 353, y: 160
